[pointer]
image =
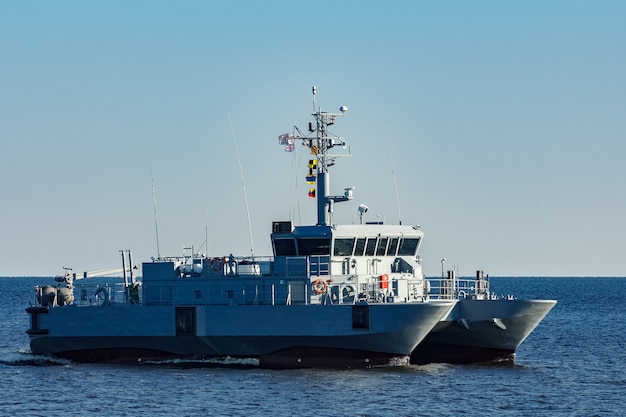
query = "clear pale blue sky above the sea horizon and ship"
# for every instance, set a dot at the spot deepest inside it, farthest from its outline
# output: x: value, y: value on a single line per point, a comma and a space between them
x: 506, y: 123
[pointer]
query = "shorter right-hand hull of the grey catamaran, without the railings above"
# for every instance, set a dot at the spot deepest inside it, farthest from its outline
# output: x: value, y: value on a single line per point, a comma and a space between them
x: 481, y: 331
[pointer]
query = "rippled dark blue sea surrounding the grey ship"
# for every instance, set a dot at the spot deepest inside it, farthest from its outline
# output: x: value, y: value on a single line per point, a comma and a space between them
x: 573, y: 364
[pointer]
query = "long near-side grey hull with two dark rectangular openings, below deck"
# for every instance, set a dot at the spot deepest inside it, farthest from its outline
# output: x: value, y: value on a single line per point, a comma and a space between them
x: 278, y: 336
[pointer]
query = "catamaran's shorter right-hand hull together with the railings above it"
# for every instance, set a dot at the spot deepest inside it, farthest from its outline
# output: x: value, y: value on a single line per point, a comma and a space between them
x: 482, y: 326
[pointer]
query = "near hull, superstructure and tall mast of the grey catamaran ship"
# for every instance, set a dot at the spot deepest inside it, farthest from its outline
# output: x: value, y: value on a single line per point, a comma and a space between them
x: 331, y: 295
